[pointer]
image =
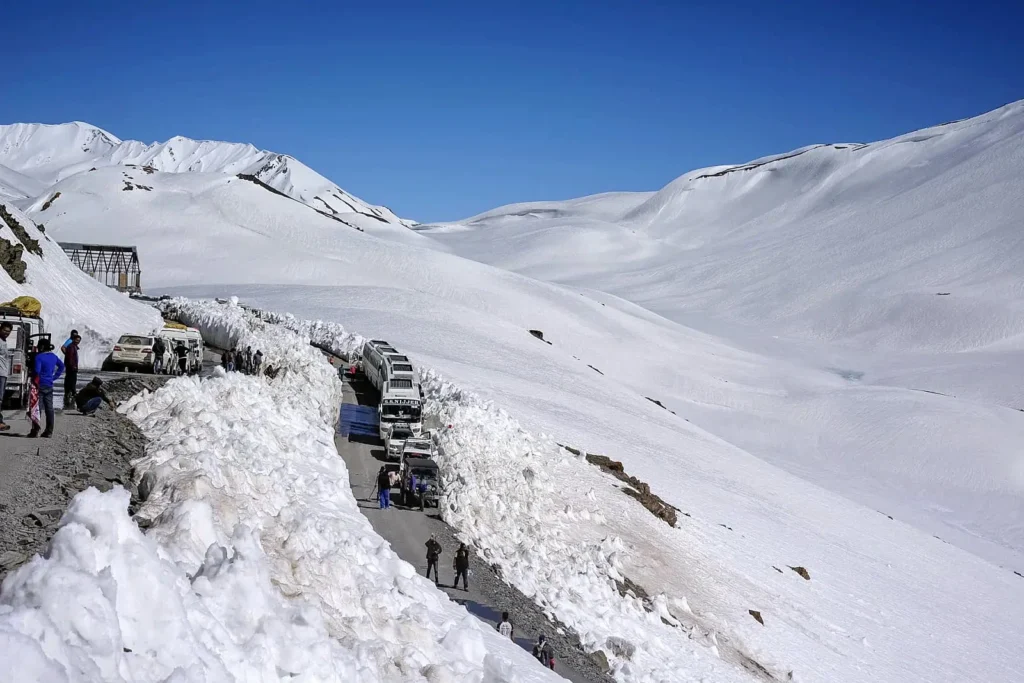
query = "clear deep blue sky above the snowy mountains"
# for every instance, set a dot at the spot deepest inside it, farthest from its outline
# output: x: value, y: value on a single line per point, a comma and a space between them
x: 444, y: 110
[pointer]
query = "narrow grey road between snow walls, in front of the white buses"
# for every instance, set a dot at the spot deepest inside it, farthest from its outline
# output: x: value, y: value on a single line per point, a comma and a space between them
x: 409, y: 530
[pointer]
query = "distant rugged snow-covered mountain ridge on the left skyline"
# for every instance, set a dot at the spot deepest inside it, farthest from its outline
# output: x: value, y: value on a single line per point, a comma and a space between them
x: 49, y: 154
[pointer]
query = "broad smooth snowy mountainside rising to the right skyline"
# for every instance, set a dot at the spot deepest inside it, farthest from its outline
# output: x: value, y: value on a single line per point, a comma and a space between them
x: 909, y: 244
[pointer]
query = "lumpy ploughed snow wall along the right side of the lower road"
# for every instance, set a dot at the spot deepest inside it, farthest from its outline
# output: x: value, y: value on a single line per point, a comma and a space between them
x: 500, y: 498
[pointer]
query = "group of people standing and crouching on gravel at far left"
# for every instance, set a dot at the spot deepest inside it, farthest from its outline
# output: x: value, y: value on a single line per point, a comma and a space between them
x: 46, y: 368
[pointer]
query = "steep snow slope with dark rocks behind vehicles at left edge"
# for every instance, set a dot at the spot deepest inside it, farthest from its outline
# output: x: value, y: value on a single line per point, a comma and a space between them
x: 70, y: 298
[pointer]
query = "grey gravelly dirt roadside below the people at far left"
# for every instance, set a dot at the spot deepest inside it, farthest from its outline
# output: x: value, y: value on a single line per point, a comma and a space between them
x: 38, y: 478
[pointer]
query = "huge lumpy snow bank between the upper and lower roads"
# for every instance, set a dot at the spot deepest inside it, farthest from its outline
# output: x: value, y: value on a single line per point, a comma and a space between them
x: 259, y: 565
